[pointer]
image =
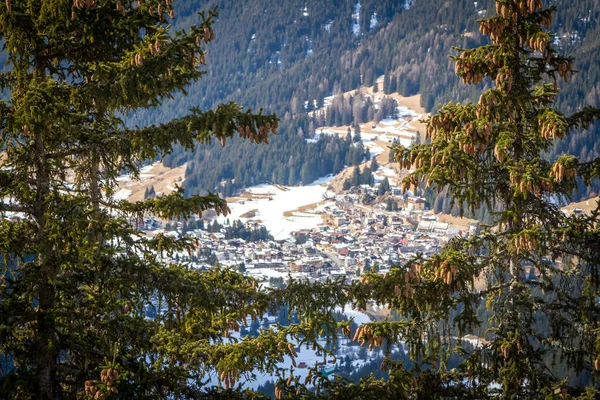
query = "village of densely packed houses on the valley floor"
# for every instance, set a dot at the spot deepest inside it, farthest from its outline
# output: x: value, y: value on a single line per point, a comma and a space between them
x: 352, y: 239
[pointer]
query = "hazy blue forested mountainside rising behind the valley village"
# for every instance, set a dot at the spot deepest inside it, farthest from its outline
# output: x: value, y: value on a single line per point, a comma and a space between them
x: 286, y: 57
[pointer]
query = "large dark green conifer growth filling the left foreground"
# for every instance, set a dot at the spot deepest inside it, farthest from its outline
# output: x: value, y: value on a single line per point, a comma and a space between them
x: 77, y: 281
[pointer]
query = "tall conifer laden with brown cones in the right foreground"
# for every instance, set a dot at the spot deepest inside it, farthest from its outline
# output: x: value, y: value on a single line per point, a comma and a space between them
x: 534, y: 274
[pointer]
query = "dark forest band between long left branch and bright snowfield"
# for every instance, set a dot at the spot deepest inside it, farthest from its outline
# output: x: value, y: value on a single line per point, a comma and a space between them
x: 290, y: 161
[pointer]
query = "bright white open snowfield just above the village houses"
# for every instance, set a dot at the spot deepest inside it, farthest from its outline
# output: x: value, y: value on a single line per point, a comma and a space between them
x: 277, y: 200
